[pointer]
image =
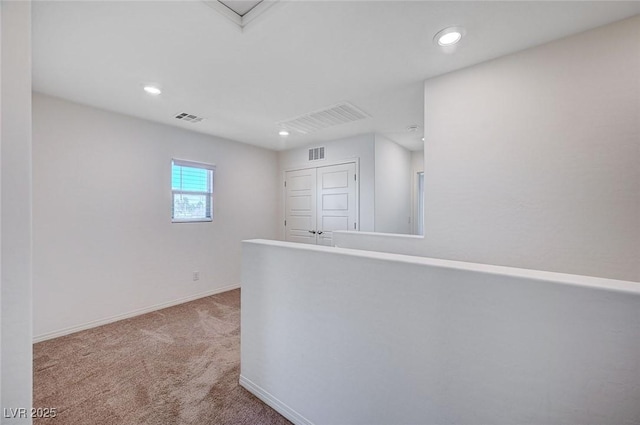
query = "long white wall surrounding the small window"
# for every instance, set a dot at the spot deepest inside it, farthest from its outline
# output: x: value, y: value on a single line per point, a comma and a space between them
x: 104, y: 244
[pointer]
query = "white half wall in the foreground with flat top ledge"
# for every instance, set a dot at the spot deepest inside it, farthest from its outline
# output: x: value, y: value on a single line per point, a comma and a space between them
x: 390, y: 339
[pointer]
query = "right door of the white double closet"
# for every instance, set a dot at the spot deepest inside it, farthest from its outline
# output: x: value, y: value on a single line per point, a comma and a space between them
x: 336, y: 201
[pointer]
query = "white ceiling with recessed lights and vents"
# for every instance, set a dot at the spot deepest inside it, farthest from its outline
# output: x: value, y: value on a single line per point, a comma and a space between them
x: 296, y: 57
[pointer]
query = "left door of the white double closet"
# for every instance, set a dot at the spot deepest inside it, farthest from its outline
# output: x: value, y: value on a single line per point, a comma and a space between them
x: 300, y: 206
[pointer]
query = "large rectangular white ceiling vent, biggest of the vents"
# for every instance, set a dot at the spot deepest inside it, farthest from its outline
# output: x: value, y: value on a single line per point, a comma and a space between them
x: 341, y: 113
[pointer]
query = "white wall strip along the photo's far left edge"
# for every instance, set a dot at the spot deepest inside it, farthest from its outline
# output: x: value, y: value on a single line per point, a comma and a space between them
x: 15, y: 190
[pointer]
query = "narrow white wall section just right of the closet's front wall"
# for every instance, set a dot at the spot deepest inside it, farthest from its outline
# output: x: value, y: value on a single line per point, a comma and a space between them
x: 392, y: 187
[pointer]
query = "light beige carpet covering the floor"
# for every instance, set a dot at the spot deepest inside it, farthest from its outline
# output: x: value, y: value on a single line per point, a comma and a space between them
x: 179, y: 365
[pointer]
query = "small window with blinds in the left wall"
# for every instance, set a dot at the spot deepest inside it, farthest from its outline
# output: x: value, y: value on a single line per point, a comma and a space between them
x: 192, y: 191
